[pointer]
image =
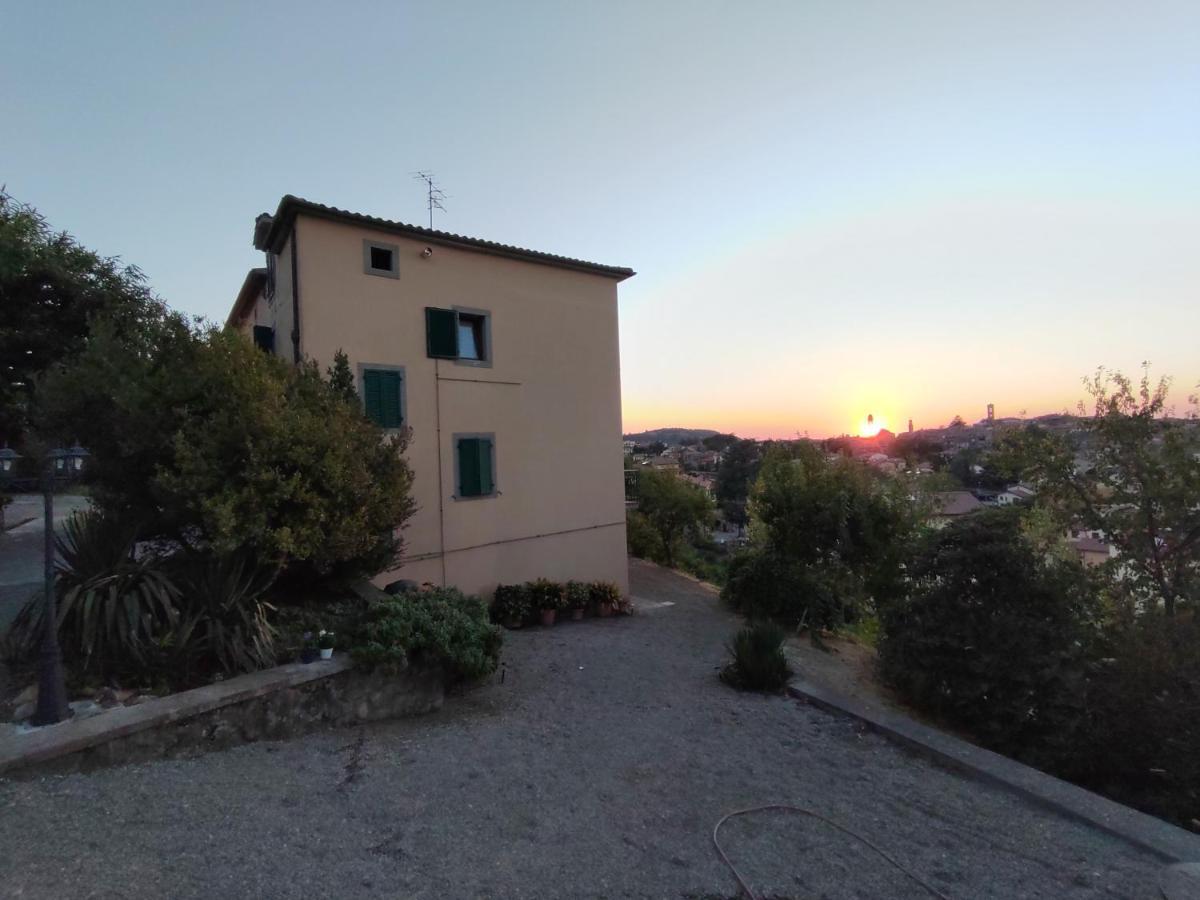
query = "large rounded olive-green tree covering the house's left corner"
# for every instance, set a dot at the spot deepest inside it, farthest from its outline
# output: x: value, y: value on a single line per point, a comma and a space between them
x: 206, y: 442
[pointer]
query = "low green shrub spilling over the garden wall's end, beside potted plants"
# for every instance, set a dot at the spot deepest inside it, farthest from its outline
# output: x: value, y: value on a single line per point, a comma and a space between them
x: 441, y: 626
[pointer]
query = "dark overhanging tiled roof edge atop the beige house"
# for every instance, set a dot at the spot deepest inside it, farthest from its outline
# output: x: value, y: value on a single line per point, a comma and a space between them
x: 273, y: 231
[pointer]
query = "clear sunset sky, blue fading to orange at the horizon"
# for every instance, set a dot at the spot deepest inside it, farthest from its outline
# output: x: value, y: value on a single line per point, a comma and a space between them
x: 909, y: 209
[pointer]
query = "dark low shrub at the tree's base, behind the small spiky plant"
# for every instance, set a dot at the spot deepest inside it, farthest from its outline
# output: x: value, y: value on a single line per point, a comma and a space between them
x: 764, y: 584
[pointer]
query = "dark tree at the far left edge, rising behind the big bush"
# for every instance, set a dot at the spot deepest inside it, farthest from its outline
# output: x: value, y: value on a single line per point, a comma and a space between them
x: 51, y: 291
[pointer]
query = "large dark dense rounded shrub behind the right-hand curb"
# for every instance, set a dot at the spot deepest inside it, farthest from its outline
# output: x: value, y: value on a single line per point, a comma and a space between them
x: 994, y: 637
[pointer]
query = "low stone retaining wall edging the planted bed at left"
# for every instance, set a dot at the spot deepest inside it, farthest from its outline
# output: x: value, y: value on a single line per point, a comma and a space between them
x: 271, y: 705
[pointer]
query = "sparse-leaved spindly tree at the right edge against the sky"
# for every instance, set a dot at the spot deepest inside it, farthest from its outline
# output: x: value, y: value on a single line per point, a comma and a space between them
x: 1143, y: 489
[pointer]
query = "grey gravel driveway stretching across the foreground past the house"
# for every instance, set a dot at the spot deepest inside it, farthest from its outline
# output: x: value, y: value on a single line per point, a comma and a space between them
x: 597, y: 770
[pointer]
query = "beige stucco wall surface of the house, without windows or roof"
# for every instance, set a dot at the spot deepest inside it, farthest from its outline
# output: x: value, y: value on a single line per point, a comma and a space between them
x: 551, y: 397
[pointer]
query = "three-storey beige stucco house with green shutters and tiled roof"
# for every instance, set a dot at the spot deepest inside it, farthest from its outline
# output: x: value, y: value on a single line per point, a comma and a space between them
x: 503, y: 363
